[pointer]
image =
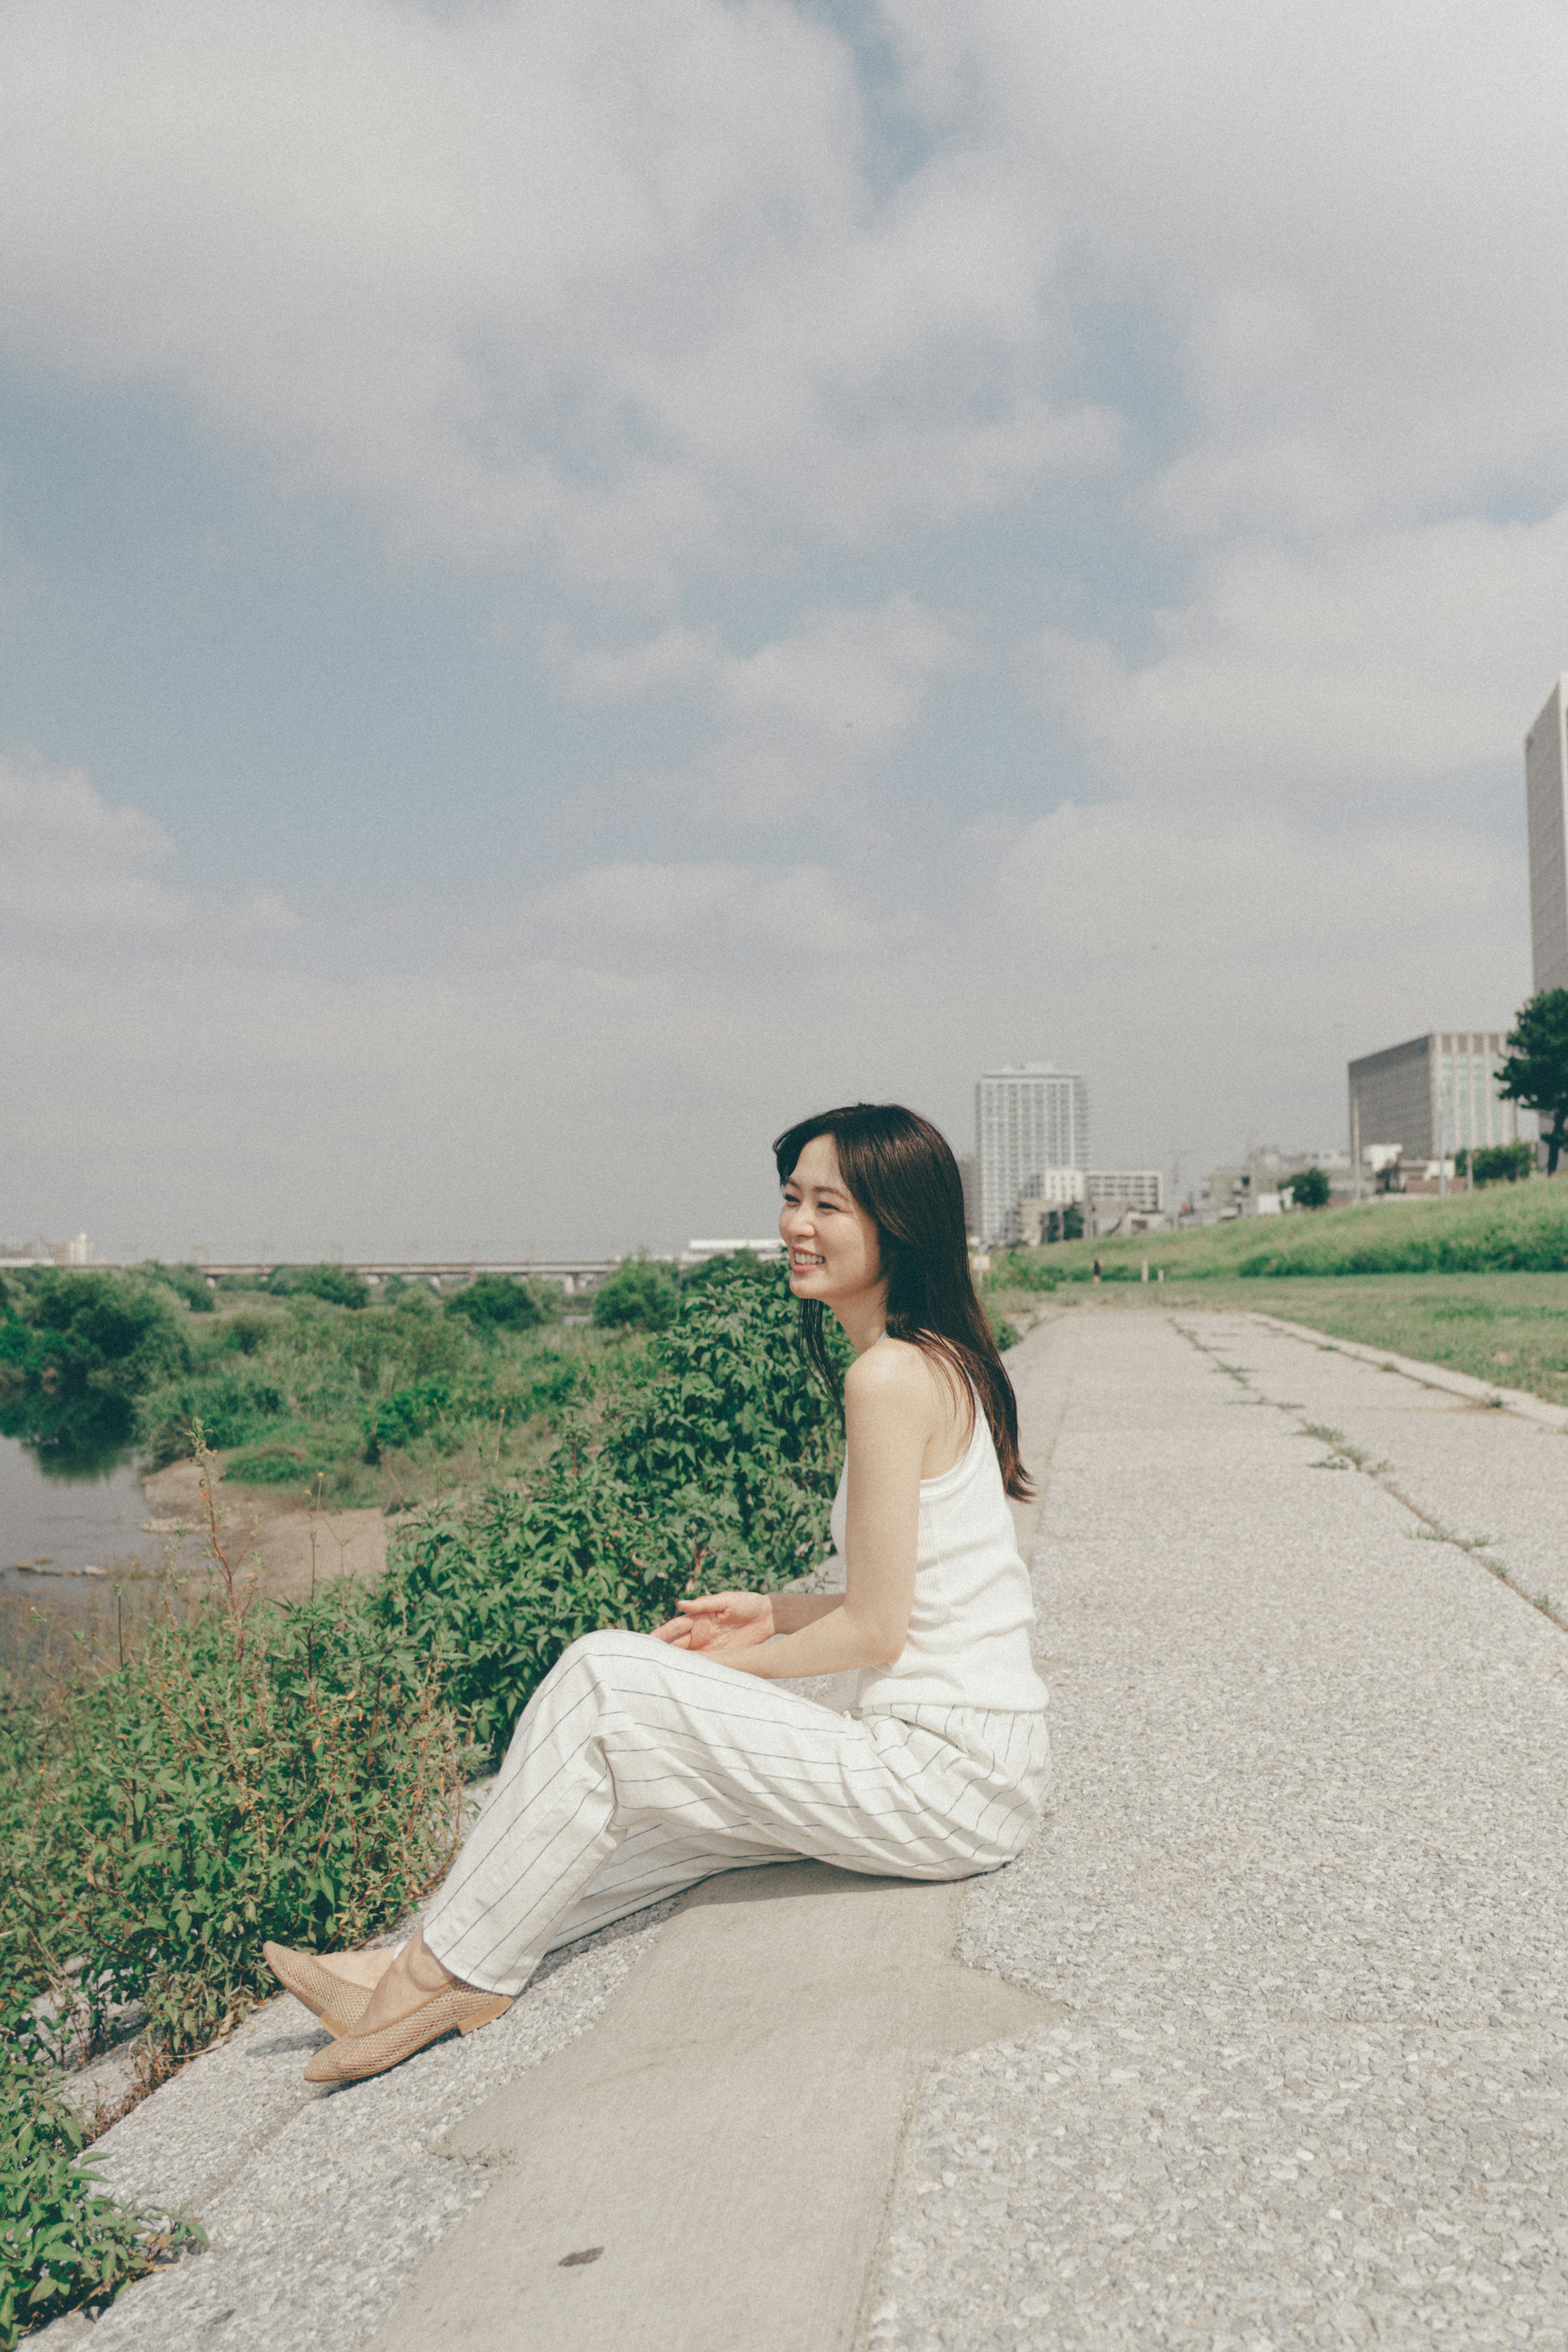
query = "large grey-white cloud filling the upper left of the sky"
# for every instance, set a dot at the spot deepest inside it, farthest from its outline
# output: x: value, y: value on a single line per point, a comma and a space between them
x: 612, y: 286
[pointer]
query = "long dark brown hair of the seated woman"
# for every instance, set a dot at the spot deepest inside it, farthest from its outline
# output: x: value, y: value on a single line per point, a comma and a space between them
x: 902, y: 1170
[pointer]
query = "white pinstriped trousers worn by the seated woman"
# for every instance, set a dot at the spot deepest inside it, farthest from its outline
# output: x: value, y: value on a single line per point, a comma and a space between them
x: 641, y: 1770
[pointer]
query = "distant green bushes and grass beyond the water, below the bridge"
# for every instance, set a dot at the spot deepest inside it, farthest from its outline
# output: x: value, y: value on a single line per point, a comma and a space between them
x: 300, y: 1384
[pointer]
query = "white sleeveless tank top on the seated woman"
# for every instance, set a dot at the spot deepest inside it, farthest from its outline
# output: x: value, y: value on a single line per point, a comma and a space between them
x: 974, y: 1608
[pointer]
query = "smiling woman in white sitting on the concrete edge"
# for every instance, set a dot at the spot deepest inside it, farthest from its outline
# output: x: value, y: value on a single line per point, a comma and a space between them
x: 648, y: 1763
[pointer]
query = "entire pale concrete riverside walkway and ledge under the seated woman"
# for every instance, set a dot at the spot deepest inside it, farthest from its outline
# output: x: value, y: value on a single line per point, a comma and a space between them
x: 1301, y: 1920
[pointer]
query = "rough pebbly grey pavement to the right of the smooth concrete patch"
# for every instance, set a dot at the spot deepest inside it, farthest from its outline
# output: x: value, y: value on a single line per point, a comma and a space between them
x: 1306, y: 1887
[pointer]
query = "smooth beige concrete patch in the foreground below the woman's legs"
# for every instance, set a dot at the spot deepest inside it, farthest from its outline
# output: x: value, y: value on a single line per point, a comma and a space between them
x: 711, y: 2165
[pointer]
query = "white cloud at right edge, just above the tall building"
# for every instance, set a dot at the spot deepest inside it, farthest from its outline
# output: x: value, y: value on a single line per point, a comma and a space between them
x: 1369, y: 662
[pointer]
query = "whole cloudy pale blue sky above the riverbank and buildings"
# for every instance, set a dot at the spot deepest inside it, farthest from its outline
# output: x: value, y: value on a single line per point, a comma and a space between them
x: 582, y: 582
